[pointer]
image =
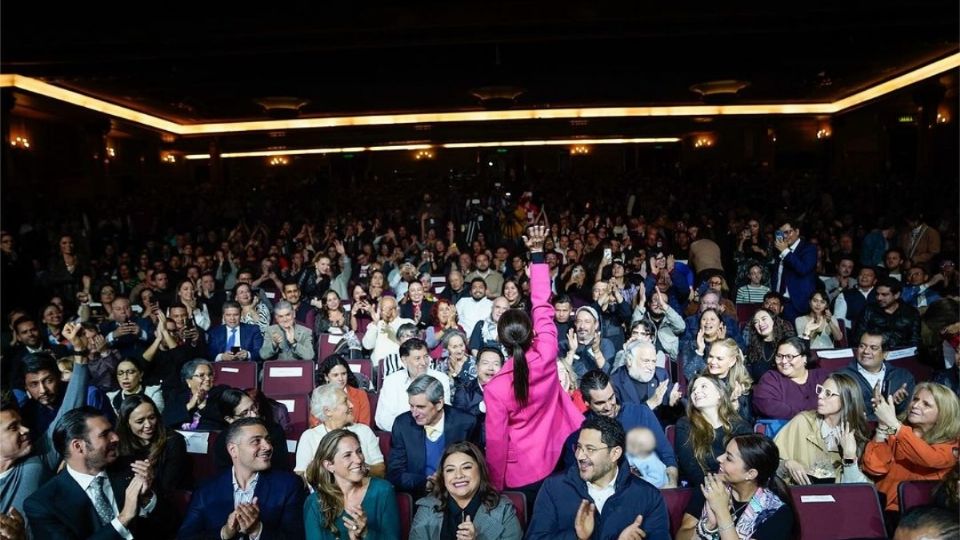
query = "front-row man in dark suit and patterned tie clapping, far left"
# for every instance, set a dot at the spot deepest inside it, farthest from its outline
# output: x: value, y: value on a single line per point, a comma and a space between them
x: 88, y: 499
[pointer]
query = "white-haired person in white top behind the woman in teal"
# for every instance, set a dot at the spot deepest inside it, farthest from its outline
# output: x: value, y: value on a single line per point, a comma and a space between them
x: 331, y: 406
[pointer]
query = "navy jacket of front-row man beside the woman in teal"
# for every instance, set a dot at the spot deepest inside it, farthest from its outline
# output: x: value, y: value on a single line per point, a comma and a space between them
x: 280, y: 496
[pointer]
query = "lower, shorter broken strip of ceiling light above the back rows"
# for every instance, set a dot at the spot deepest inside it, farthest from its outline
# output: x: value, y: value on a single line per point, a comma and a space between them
x: 408, y: 147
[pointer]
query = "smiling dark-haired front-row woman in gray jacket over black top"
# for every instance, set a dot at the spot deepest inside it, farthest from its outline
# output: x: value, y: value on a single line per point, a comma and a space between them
x: 463, y: 505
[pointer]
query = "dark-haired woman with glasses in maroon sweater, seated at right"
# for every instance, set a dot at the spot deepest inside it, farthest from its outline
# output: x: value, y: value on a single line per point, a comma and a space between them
x: 791, y: 388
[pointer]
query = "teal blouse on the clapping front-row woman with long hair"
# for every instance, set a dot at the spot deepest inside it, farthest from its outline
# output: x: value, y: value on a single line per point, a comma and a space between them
x: 379, y: 504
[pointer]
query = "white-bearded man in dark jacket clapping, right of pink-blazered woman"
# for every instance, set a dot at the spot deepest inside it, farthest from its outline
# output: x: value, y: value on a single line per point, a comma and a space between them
x: 640, y: 381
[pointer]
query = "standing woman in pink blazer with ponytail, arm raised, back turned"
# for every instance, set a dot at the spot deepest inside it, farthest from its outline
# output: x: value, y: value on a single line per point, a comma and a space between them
x: 529, y: 415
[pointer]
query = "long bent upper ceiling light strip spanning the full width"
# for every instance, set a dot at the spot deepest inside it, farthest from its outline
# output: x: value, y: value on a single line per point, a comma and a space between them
x: 81, y: 100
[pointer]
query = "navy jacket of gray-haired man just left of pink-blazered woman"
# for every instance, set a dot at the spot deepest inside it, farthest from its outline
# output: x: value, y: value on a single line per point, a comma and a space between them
x: 408, y: 453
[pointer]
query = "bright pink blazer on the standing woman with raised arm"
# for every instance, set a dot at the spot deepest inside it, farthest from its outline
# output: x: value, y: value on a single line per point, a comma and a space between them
x: 525, y: 443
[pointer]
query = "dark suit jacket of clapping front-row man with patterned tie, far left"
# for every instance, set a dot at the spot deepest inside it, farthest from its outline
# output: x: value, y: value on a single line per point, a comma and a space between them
x: 61, y: 510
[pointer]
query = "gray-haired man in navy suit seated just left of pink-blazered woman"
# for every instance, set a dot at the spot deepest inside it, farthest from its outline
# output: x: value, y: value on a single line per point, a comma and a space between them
x: 420, y: 435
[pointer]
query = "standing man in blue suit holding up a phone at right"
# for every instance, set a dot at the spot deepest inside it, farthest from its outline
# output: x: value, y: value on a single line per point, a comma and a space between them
x: 795, y: 274
